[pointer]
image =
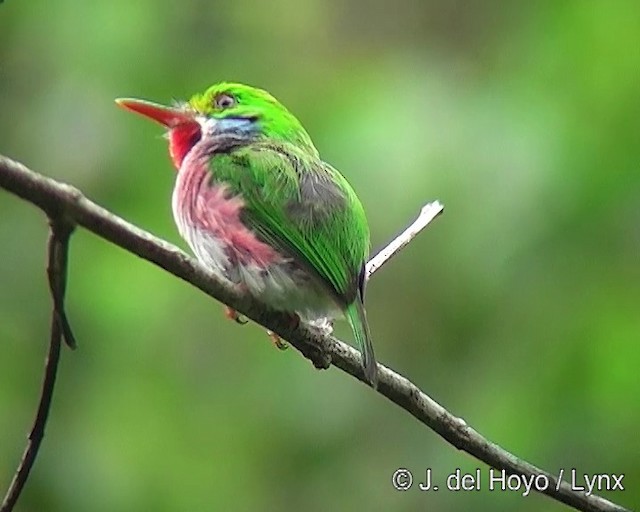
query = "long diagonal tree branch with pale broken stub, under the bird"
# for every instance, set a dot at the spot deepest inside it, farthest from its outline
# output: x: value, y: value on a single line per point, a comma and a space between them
x: 54, y: 197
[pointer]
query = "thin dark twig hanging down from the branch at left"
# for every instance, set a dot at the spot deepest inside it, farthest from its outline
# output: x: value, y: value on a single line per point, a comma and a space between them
x: 58, y: 246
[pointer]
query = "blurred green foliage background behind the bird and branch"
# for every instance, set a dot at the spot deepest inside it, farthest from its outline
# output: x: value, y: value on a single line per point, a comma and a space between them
x: 517, y: 310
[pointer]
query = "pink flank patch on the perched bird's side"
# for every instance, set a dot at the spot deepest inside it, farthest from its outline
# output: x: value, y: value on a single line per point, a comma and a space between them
x: 212, y: 209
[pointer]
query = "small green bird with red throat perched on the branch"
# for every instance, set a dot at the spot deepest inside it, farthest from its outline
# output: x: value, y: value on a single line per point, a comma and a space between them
x: 262, y: 210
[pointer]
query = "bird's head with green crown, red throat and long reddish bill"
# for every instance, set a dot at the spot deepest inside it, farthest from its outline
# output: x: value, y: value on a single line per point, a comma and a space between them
x: 224, y: 110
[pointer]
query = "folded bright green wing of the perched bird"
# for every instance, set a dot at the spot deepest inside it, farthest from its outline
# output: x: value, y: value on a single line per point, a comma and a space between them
x: 303, y: 207
